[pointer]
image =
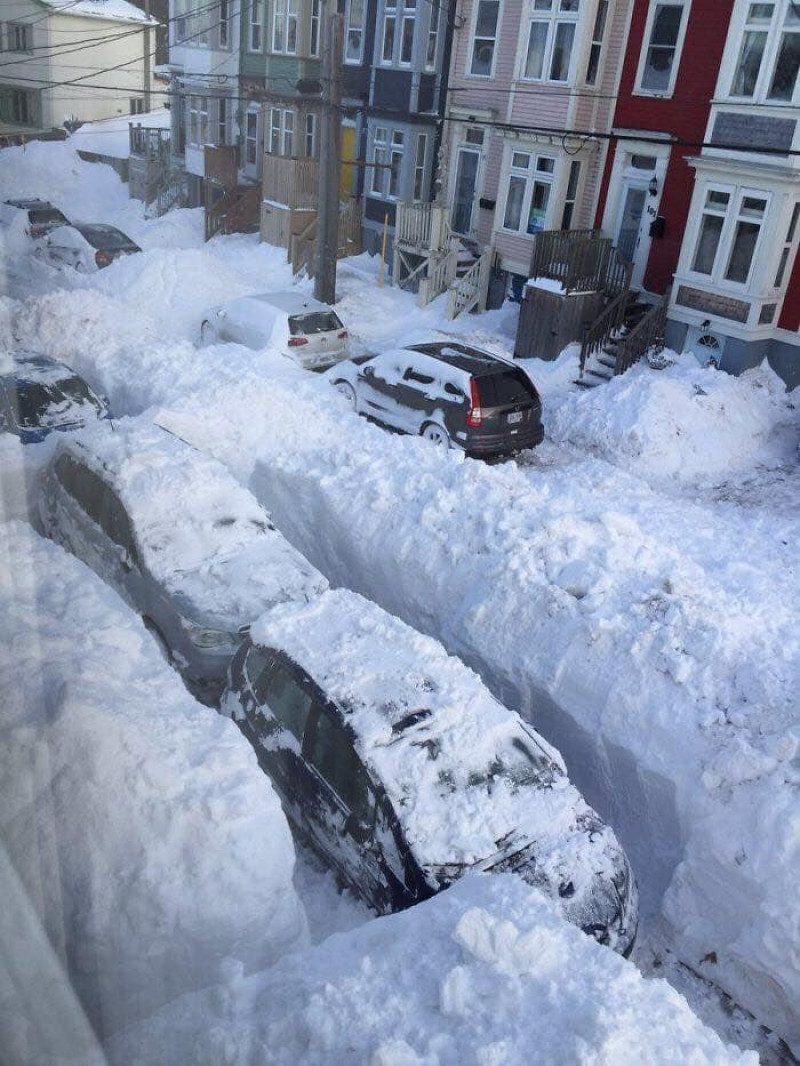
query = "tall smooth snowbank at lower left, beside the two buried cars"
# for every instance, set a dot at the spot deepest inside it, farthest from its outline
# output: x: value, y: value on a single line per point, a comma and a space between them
x: 150, y: 843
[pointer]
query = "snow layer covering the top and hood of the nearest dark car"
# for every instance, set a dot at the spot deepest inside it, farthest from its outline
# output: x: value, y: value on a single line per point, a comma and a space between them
x: 466, y: 776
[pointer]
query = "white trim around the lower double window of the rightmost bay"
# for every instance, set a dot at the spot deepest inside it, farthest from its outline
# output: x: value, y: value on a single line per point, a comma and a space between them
x: 717, y: 279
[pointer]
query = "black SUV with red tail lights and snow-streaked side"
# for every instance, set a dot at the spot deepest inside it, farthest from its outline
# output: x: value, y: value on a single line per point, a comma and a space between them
x: 451, y: 394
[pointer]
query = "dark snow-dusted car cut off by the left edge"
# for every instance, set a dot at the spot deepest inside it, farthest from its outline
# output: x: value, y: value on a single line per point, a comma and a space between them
x: 40, y: 395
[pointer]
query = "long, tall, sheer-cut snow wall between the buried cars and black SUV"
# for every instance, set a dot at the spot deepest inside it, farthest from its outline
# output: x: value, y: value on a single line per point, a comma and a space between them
x: 663, y: 669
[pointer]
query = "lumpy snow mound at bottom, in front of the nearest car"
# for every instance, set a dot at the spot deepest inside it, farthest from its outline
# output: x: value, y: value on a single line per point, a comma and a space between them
x: 502, y: 980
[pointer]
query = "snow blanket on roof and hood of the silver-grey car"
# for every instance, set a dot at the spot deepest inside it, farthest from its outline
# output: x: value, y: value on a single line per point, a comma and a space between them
x: 201, y: 535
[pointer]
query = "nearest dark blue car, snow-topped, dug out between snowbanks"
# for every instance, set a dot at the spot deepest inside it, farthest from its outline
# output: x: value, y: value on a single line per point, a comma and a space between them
x: 398, y: 766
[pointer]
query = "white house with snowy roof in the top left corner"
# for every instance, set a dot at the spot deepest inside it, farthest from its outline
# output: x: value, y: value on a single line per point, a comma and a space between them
x: 66, y: 60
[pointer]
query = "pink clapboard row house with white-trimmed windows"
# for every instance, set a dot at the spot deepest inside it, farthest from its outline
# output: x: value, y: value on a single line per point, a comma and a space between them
x: 525, y: 74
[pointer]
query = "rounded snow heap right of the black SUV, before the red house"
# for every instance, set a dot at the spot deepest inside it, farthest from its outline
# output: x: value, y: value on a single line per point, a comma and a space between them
x: 685, y: 423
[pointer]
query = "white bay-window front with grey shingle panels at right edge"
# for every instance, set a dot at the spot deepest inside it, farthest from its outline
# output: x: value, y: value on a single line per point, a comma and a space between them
x: 737, y: 294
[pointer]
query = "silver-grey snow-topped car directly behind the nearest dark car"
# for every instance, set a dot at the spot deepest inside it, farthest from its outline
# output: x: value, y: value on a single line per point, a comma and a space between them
x: 169, y: 528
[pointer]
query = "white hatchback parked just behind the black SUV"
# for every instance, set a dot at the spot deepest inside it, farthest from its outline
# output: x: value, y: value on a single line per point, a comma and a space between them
x: 296, y: 325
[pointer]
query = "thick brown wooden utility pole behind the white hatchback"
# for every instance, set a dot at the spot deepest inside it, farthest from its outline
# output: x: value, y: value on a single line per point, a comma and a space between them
x: 330, y: 160
